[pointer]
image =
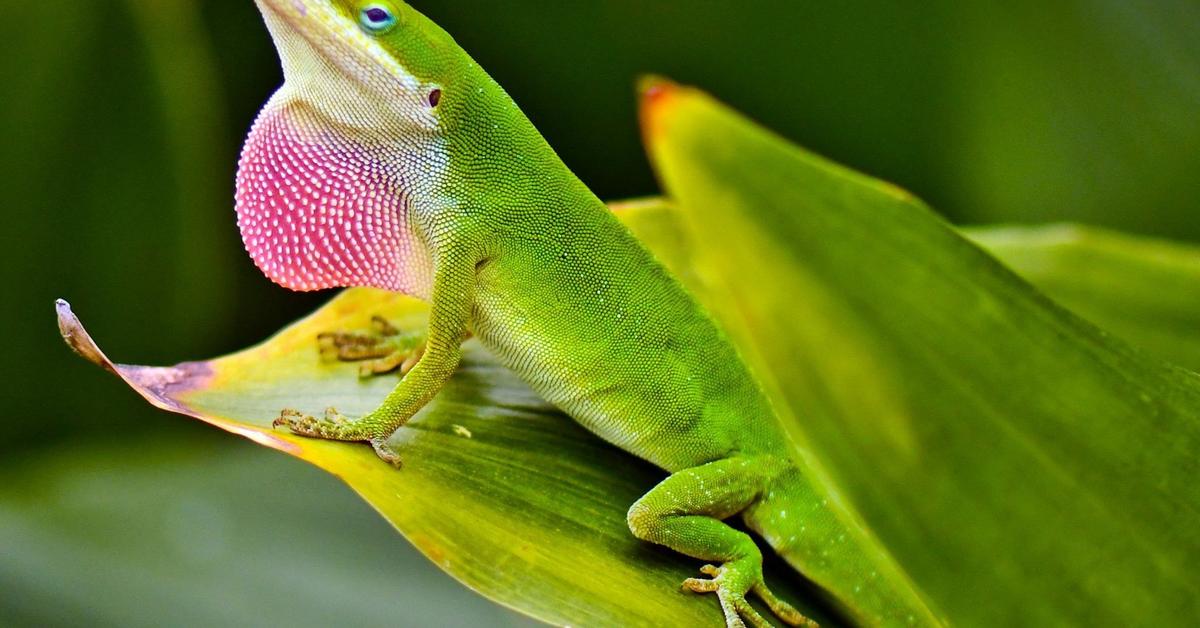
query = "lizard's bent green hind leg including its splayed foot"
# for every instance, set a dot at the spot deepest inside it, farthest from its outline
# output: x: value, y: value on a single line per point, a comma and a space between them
x: 685, y: 513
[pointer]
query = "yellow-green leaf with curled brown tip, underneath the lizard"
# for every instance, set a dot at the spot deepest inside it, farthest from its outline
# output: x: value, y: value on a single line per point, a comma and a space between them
x: 501, y: 491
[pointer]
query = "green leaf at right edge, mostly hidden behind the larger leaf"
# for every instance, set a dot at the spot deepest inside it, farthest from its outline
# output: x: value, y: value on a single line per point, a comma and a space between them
x: 1144, y: 290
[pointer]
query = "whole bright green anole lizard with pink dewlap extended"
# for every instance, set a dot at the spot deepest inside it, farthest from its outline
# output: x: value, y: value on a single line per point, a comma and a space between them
x: 391, y: 159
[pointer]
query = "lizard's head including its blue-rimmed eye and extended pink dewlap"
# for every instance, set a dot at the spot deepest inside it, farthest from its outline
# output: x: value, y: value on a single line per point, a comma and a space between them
x: 353, y: 148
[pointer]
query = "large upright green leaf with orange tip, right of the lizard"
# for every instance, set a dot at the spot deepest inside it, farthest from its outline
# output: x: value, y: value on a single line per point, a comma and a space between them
x: 1025, y: 468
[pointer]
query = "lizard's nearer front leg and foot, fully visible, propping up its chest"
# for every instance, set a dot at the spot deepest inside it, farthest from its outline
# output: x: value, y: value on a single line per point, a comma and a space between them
x: 449, y: 319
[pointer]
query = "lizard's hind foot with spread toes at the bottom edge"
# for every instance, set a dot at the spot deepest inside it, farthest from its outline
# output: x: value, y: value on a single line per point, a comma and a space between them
x: 731, y: 583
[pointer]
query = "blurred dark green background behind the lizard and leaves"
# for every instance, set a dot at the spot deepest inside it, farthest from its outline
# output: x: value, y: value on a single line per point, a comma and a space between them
x: 122, y: 124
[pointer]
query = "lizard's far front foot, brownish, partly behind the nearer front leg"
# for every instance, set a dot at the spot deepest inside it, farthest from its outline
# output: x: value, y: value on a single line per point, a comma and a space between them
x: 381, y: 351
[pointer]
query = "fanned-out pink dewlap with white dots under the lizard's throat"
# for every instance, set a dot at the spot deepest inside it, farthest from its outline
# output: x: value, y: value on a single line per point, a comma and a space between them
x: 320, y: 212
